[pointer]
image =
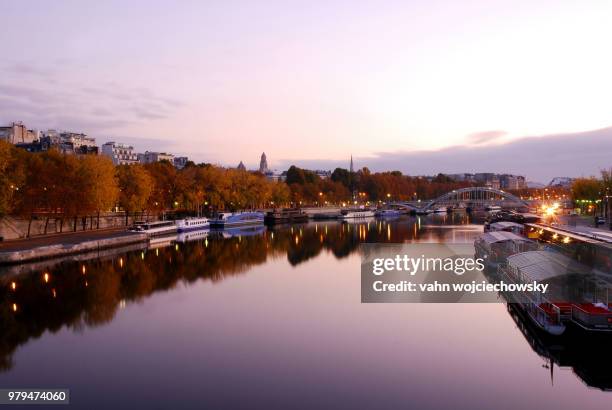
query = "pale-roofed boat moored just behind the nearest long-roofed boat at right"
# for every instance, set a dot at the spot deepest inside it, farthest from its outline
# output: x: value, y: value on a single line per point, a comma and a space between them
x: 495, y: 247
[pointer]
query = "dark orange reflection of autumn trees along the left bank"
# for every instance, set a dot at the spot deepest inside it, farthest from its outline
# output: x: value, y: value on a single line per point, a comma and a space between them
x: 89, y: 294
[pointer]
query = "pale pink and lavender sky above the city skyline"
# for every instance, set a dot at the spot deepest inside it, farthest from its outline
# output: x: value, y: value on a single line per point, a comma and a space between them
x: 314, y: 82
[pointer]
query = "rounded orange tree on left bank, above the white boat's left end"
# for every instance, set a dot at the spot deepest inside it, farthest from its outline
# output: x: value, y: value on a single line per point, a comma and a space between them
x: 135, y: 187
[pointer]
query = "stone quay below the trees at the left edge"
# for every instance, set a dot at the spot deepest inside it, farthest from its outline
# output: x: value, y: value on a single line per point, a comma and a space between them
x: 24, y: 250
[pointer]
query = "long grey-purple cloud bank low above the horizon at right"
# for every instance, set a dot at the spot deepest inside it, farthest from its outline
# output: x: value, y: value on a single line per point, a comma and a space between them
x: 538, y: 158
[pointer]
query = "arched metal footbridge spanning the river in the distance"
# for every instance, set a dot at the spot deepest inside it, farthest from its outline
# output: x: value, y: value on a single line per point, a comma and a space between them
x: 472, y: 197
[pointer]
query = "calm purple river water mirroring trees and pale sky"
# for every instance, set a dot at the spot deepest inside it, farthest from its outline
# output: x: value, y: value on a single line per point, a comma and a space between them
x: 269, y: 318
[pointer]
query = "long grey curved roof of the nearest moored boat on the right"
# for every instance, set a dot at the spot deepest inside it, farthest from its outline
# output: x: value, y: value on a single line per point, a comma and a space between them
x: 543, y: 265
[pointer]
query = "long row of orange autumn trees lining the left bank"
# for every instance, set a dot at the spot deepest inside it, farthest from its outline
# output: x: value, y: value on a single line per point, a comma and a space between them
x: 67, y: 188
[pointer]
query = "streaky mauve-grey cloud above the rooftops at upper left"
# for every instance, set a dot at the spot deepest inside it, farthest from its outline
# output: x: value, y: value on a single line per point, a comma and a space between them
x: 90, y: 107
